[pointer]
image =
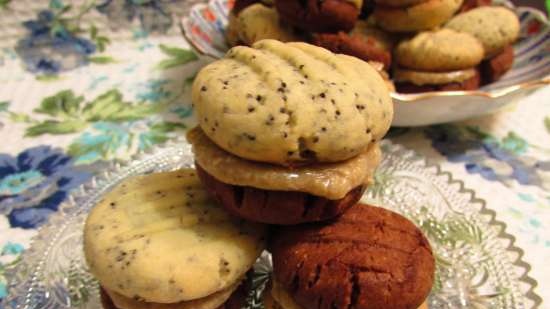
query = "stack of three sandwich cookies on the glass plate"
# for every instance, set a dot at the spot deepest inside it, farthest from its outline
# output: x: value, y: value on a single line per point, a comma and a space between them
x: 288, y: 136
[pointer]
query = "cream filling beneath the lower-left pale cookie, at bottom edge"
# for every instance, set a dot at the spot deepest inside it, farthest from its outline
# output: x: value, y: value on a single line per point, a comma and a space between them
x: 212, y: 301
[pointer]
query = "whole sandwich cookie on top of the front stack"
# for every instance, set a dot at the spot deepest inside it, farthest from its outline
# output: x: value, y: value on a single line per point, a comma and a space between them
x: 291, y: 130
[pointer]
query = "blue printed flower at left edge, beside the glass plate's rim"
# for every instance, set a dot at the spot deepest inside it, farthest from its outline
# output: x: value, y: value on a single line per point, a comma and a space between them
x: 34, y: 183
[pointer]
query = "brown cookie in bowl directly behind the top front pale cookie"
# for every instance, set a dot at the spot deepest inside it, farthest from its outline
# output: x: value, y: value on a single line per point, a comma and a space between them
x: 363, y: 48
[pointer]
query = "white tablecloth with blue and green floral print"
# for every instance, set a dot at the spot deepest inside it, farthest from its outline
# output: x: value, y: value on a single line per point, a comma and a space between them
x: 86, y: 83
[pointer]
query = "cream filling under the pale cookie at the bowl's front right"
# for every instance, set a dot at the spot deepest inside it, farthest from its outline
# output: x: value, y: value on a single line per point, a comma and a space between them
x: 432, y: 78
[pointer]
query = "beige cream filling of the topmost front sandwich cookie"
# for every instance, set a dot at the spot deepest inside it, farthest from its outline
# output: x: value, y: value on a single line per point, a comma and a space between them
x: 330, y: 180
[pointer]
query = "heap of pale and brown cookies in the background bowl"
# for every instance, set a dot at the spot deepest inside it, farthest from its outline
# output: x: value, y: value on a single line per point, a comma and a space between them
x: 462, y: 44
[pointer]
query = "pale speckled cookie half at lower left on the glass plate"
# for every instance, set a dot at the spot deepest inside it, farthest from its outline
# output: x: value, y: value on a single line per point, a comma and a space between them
x: 160, y: 238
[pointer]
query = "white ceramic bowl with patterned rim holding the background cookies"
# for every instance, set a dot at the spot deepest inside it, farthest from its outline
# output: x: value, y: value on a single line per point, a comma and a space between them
x: 204, y: 28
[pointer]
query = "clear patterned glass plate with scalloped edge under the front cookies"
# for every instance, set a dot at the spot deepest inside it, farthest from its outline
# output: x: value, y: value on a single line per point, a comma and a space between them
x: 478, y: 265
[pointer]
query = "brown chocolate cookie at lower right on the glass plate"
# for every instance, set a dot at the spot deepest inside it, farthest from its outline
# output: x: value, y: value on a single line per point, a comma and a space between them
x: 367, y: 258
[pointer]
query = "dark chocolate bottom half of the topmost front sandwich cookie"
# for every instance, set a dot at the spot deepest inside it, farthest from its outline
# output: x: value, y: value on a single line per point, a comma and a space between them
x: 276, y: 207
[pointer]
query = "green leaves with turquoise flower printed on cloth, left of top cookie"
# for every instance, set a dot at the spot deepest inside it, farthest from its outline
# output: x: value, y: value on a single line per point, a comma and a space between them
x: 110, y: 127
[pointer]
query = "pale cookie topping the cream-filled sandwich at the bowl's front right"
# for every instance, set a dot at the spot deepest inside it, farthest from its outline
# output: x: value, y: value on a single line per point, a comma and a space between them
x: 439, y: 50
